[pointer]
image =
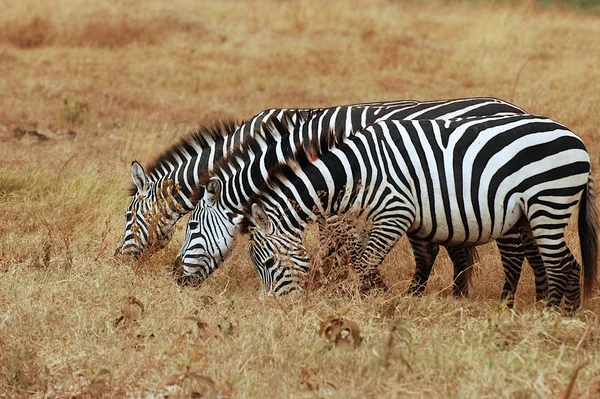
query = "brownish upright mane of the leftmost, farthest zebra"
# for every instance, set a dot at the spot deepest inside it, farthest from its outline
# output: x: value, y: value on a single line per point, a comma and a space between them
x: 202, y: 137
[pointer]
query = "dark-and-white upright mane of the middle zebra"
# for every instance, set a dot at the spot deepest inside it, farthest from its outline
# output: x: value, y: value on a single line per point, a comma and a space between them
x: 269, y: 134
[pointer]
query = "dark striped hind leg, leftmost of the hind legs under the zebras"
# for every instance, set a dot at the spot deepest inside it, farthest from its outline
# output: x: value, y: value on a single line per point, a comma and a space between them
x: 512, y: 257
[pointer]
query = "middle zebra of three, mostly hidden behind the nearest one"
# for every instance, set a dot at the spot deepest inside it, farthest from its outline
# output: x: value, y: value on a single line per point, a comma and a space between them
x: 211, y: 231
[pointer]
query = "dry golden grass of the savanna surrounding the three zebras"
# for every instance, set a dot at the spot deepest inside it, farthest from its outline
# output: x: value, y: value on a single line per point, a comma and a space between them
x: 88, y: 87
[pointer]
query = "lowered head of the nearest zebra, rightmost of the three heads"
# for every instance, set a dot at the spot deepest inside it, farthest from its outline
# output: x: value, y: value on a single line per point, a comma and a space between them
x: 279, y: 256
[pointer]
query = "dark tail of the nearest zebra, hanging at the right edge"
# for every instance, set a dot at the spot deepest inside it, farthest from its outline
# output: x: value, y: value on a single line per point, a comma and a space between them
x: 588, y: 238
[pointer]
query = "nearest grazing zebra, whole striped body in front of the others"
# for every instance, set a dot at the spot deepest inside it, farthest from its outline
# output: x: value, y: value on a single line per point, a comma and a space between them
x: 458, y: 182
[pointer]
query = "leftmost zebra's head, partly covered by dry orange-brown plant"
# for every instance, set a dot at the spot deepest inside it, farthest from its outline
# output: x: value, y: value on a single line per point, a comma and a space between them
x: 150, y: 216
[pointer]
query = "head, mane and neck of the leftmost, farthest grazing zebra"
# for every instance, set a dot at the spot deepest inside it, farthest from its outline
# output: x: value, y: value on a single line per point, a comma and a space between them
x: 162, y: 194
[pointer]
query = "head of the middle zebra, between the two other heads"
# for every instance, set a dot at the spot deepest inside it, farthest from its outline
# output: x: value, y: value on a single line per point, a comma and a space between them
x: 209, y: 236
